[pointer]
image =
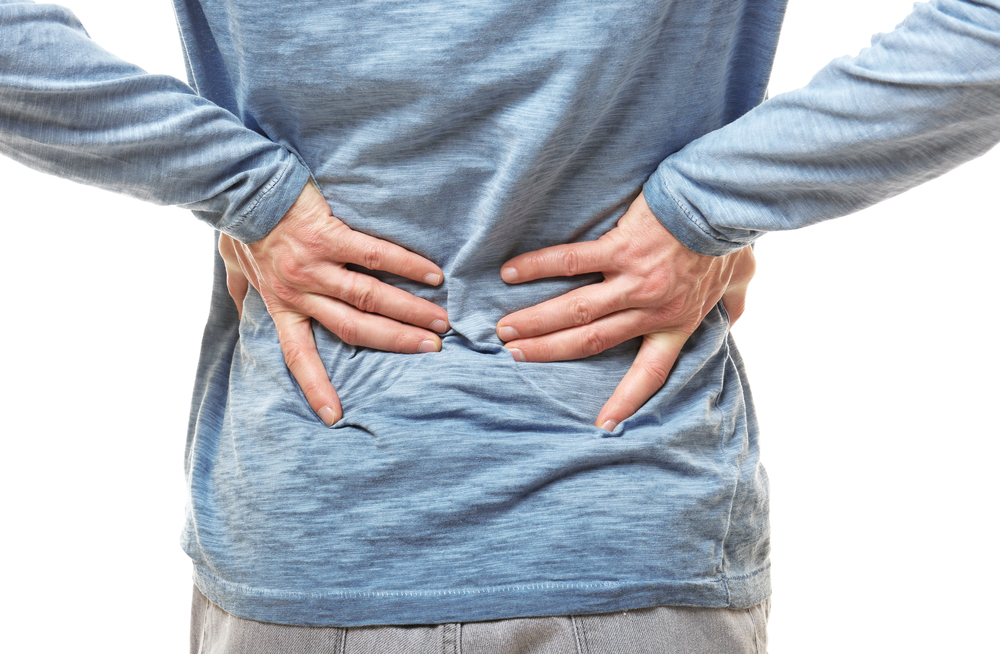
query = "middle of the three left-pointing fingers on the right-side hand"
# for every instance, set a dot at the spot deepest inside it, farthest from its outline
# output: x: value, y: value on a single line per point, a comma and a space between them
x: 574, y: 309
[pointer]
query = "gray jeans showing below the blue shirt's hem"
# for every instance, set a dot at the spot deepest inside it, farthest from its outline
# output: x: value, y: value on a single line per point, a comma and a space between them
x: 660, y: 630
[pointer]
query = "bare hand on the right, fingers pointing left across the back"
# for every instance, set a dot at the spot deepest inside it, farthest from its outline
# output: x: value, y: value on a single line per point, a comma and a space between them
x: 653, y: 287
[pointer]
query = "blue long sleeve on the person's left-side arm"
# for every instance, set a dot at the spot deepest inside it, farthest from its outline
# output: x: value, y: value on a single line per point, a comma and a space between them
x: 70, y: 108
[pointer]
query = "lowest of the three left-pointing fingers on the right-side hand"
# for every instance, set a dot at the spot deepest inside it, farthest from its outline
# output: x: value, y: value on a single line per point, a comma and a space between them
x: 584, y: 341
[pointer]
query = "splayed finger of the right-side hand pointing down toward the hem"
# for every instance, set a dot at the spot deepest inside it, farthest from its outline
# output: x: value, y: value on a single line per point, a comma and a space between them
x: 648, y: 373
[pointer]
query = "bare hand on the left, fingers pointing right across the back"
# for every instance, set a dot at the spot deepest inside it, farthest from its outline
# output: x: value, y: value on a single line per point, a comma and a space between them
x: 300, y: 271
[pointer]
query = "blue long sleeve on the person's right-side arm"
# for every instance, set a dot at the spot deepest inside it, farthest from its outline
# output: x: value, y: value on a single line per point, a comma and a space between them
x: 923, y: 99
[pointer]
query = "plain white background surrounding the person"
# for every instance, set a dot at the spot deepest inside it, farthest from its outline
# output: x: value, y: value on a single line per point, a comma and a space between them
x: 869, y: 341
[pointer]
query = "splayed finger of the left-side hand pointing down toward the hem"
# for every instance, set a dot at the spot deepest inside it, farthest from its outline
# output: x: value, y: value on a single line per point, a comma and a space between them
x: 299, y: 348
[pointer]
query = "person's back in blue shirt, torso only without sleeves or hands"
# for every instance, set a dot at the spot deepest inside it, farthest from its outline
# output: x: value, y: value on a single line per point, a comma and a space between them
x: 462, y: 484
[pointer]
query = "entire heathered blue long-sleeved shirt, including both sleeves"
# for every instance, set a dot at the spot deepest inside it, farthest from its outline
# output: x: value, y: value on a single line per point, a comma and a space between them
x: 461, y: 485
